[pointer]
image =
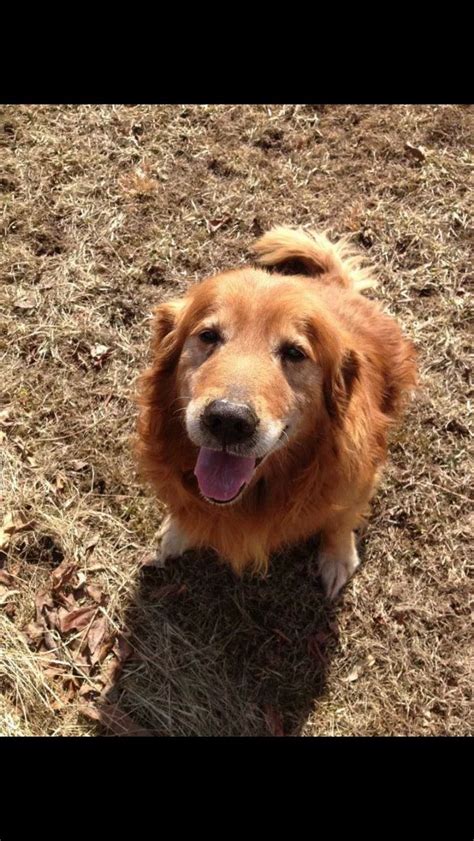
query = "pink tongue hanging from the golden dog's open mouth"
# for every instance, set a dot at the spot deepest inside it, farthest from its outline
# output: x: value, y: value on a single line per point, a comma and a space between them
x: 221, y: 475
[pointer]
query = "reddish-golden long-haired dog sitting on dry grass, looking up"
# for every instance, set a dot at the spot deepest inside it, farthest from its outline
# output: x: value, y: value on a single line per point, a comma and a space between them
x: 265, y: 414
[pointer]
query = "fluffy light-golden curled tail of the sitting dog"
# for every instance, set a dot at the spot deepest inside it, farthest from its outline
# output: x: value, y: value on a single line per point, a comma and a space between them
x: 301, y: 252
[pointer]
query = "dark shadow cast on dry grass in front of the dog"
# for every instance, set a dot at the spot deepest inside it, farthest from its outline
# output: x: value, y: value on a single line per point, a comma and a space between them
x: 216, y: 655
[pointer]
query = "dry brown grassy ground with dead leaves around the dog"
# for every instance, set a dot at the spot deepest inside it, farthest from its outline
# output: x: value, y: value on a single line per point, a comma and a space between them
x: 108, y: 210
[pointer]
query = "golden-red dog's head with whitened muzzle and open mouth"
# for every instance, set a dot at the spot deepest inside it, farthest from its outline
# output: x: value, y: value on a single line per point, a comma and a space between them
x: 256, y: 362
